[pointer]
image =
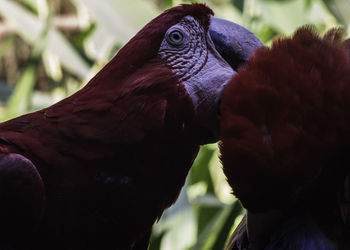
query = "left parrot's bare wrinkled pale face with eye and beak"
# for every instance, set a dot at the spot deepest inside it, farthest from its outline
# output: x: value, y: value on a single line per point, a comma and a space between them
x: 204, y: 58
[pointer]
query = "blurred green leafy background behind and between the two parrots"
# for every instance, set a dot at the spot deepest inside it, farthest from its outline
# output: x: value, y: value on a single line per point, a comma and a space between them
x: 51, y: 48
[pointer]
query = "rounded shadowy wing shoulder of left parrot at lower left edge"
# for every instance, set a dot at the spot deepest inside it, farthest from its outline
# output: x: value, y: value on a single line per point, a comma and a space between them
x: 22, y: 196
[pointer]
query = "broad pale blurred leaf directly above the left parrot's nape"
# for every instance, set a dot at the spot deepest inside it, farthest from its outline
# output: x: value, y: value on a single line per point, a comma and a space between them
x: 116, y: 21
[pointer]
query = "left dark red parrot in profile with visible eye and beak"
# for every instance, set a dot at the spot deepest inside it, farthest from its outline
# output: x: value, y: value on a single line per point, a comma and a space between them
x: 97, y: 169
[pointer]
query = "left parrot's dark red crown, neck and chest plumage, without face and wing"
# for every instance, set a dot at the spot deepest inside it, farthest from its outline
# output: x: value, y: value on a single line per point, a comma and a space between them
x: 114, y: 155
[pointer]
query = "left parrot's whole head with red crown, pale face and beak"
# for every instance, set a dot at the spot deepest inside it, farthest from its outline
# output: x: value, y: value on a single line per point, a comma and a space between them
x: 201, y: 52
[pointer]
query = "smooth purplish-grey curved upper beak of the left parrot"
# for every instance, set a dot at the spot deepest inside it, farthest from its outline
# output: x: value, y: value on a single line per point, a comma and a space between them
x: 234, y: 42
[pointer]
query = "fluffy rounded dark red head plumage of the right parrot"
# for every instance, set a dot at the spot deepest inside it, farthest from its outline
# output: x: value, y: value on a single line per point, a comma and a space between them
x: 285, y: 121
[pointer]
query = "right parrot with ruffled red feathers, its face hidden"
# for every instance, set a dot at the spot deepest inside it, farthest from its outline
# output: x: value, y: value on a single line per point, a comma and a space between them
x: 285, y: 141
